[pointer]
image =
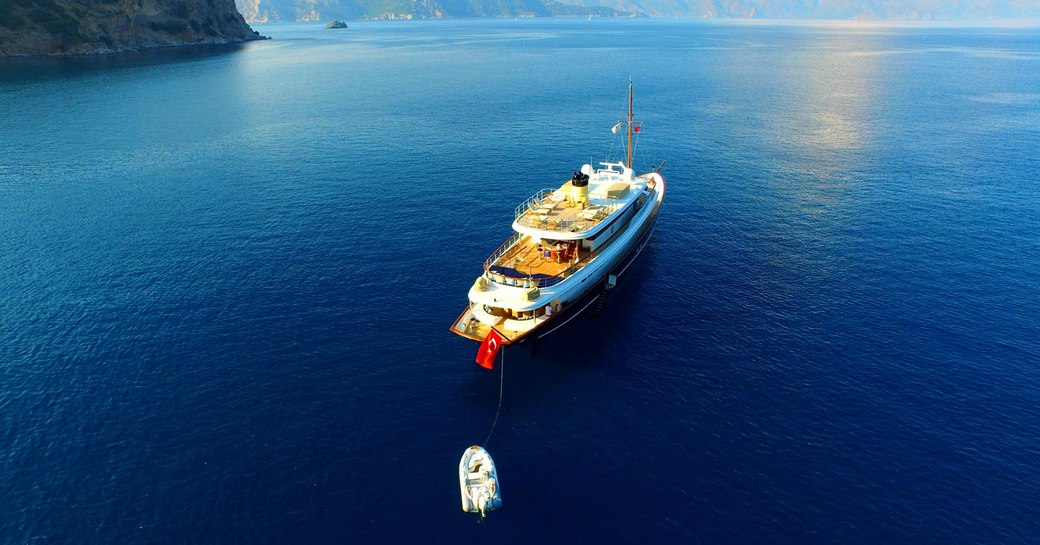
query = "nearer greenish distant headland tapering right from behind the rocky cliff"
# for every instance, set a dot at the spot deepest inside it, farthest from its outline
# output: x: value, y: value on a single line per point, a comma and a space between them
x: 269, y: 11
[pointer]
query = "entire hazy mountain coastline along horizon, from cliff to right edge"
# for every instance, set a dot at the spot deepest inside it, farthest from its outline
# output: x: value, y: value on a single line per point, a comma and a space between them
x: 264, y: 11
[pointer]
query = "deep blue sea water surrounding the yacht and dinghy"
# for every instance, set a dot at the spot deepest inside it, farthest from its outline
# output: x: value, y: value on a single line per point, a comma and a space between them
x: 227, y: 277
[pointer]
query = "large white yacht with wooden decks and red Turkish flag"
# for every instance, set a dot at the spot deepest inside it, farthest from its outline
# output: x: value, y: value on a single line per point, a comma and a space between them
x: 570, y: 246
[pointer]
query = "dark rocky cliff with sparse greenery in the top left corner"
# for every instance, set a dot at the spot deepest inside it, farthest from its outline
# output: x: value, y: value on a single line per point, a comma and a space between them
x: 71, y: 28
